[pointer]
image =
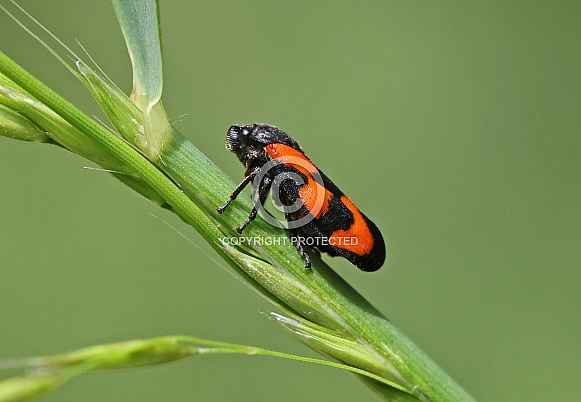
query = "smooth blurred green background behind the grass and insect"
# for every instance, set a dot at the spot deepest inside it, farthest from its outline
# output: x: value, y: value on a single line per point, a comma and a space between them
x: 454, y: 125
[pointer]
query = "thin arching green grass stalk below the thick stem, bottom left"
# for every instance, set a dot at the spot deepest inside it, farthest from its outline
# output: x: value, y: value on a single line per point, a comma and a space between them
x: 55, y: 370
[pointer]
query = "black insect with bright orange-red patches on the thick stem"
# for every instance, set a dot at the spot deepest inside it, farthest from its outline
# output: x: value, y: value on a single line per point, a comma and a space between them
x: 318, y: 213
